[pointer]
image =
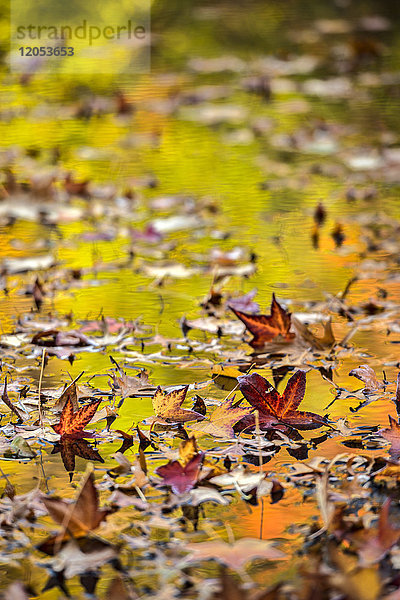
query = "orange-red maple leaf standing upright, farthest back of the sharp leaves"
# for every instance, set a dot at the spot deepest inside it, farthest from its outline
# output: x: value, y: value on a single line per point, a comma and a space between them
x: 267, y: 327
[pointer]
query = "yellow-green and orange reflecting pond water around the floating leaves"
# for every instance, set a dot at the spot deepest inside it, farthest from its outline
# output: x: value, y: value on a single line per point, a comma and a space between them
x: 251, y: 115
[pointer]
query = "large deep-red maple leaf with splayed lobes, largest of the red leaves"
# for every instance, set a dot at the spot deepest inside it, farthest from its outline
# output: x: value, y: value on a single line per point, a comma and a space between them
x: 275, y: 408
